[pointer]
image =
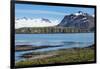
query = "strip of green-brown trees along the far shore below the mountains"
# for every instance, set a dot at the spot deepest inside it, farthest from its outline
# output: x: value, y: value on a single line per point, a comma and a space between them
x: 39, y: 30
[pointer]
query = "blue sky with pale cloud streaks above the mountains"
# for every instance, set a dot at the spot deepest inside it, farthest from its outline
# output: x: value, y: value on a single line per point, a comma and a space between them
x: 49, y: 12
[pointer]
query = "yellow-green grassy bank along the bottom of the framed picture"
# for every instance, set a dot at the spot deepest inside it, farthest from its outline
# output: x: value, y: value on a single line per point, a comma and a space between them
x: 62, y: 56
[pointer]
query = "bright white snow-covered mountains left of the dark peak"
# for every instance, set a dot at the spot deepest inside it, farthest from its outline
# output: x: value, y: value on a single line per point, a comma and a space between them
x: 34, y: 22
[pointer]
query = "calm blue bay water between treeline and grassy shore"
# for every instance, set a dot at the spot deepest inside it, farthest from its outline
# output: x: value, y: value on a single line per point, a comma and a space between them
x: 65, y: 40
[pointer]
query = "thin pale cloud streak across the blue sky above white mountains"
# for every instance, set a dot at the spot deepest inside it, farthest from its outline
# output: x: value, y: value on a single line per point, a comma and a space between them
x: 40, y: 12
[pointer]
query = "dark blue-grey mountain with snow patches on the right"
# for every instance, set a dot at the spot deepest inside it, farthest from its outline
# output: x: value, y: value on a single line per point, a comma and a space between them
x: 78, y: 20
